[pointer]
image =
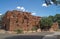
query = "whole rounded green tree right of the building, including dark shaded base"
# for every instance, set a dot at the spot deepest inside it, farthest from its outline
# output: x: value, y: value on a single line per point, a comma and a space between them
x: 46, y: 23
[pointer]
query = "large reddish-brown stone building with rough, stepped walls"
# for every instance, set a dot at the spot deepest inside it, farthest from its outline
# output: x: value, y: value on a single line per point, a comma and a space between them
x: 14, y: 20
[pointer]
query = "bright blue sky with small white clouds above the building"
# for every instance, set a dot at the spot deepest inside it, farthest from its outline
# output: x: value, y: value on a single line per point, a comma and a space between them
x: 36, y: 7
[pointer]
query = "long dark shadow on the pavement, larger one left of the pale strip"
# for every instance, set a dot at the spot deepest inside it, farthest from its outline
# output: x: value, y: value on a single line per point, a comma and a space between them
x: 25, y: 37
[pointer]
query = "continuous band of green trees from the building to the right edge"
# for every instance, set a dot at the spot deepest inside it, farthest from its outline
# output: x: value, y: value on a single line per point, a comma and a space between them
x: 48, y: 21
